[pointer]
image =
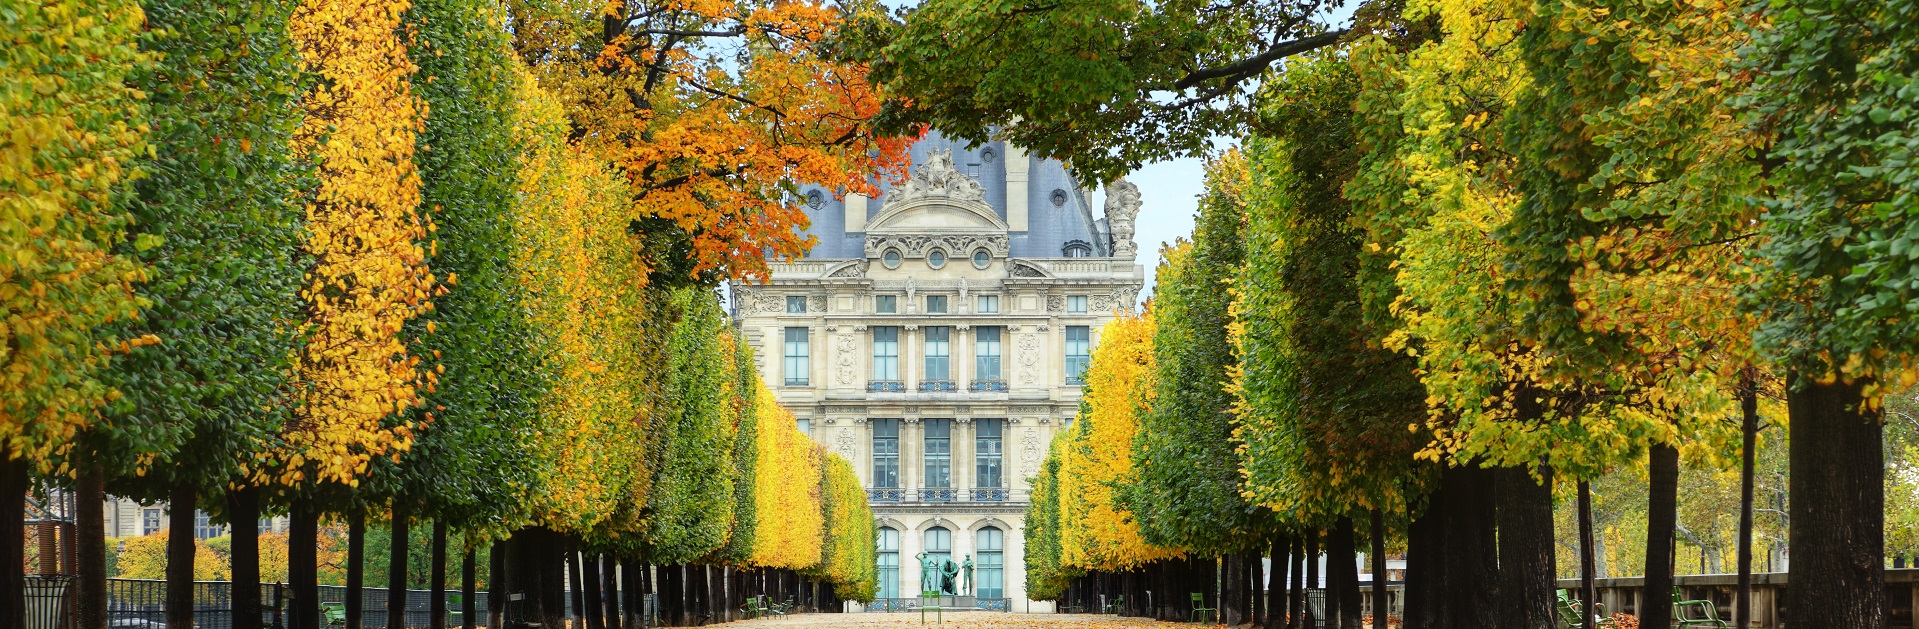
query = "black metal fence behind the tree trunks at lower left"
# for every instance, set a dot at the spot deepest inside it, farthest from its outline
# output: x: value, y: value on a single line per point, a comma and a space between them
x: 141, y: 605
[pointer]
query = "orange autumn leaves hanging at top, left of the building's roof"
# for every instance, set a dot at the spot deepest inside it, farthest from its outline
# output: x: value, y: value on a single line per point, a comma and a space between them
x: 715, y: 112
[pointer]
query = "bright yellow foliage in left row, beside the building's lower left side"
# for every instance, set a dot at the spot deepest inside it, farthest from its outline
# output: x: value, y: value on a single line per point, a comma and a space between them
x: 786, y: 490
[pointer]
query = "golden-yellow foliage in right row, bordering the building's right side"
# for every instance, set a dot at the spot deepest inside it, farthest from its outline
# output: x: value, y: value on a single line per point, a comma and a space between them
x: 1095, y: 534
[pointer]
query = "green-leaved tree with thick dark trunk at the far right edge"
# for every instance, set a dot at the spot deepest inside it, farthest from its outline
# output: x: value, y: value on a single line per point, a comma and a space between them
x: 1836, y: 83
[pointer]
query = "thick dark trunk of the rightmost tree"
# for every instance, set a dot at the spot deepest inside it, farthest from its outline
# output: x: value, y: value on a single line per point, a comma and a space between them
x: 1837, y: 505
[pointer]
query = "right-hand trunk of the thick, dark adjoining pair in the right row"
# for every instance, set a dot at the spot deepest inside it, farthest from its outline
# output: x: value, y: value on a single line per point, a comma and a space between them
x: 1527, y: 563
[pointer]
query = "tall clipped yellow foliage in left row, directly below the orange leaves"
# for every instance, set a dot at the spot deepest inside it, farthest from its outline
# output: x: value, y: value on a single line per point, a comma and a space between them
x: 579, y: 273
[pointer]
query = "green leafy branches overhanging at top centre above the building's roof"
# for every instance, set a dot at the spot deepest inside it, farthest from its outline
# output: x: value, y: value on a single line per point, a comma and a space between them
x: 1133, y: 82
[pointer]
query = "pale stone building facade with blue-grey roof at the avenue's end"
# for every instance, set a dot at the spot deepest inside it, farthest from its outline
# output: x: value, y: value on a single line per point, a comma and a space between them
x: 936, y: 340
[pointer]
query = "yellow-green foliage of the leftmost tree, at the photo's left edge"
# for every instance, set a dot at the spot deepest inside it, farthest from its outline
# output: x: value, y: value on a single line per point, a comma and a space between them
x: 70, y: 129
